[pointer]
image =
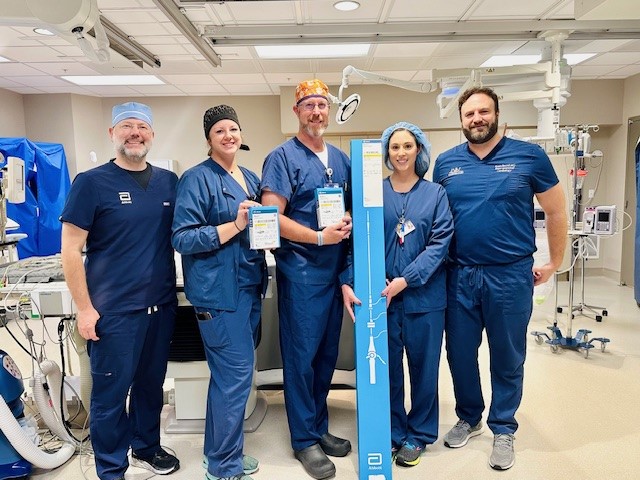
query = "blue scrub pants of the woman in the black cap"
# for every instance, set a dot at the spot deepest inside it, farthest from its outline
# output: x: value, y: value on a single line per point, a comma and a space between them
x: 229, y: 344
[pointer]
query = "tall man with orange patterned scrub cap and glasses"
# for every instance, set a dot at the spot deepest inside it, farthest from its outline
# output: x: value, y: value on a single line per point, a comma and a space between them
x: 307, y: 267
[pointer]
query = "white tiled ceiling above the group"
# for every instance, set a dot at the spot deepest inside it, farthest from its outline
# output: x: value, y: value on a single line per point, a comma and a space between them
x: 408, y: 39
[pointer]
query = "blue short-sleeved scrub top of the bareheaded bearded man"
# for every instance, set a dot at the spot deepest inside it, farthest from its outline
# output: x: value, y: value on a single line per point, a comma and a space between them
x: 492, y: 200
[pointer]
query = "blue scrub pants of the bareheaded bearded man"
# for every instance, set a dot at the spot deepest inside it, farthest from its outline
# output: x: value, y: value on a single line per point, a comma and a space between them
x: 498, y: 299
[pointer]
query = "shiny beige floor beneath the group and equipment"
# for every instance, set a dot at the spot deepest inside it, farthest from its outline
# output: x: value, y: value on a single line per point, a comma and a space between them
x: 580, y: 418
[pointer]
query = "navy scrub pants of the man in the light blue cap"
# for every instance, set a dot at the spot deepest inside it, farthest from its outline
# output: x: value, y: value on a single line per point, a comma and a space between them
x: 130, y: 358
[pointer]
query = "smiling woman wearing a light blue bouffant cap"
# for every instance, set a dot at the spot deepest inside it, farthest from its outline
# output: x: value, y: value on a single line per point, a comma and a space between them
x: 418, y: 227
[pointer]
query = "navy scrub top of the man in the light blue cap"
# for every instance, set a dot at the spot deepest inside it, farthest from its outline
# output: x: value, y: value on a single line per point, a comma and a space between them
x: 129, y: 262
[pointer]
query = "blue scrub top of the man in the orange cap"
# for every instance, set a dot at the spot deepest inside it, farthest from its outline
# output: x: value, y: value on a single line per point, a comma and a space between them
x: 294, y: 172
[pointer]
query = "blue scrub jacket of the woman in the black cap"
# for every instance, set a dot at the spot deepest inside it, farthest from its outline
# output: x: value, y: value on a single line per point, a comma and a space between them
x: 209, y: 196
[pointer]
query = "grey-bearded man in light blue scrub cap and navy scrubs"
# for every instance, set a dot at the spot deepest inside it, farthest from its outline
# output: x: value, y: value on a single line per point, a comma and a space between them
x: 125, y: 293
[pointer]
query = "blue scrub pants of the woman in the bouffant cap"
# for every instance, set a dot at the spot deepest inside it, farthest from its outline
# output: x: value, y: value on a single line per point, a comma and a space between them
x: 420, y: 336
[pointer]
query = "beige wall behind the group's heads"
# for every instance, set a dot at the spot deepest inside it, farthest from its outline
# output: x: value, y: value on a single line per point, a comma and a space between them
x: 80, y: 123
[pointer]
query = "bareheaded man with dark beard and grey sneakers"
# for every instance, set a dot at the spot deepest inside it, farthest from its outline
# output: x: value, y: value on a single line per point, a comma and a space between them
x: 491, y: 181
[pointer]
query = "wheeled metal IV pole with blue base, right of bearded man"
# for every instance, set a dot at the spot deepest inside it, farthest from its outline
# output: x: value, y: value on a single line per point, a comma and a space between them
x: 581, y: 341
